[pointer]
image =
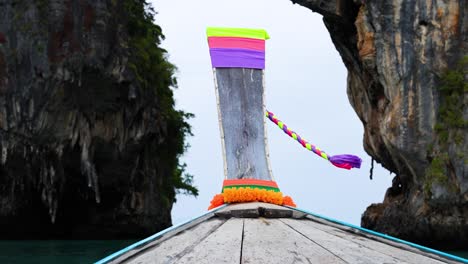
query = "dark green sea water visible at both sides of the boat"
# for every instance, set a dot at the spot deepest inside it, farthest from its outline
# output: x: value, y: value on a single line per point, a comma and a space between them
x: 71, y: 251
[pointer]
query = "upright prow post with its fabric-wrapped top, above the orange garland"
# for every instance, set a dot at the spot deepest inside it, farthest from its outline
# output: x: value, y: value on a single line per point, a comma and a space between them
x: 238, y: 60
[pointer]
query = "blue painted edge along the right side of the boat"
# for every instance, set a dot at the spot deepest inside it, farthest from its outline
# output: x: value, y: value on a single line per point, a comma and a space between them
x: 450, y: 256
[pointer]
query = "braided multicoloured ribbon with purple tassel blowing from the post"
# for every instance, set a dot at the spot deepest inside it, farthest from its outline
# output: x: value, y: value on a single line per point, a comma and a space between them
x: 344, y: 161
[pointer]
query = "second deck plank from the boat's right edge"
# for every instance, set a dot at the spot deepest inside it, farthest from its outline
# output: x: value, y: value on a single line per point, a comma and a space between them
x: 345, y: 249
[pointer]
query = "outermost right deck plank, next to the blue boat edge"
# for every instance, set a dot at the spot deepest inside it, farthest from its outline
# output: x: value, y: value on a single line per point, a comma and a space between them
x: 371, y: 242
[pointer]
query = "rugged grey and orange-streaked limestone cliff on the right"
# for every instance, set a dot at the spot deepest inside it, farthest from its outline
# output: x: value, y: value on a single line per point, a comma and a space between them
x: 407, y: 81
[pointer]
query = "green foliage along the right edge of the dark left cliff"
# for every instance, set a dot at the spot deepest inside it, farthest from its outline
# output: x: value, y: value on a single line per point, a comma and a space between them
x: 155, y: 75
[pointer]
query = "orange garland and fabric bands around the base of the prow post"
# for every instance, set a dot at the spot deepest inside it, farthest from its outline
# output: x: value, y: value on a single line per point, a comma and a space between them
x: 250, y: 190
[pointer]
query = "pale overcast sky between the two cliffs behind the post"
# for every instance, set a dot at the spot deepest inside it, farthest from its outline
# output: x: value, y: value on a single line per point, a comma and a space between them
x: 305, y: 88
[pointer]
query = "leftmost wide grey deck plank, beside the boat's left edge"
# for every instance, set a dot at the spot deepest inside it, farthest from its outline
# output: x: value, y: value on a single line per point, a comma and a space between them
x: 178, y: 245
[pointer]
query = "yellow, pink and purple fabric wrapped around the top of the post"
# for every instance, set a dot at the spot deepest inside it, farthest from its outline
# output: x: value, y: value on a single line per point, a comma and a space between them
x: 237, y: 47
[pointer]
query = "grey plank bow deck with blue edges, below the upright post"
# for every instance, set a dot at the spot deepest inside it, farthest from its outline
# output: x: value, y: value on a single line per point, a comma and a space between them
x: 267, y: 233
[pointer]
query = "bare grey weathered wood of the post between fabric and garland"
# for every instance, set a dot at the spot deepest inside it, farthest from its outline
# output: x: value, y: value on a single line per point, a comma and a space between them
x: 241, y: 107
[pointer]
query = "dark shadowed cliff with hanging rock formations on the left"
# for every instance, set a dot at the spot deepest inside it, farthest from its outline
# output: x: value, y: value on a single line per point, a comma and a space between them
x: 89, y: 136
